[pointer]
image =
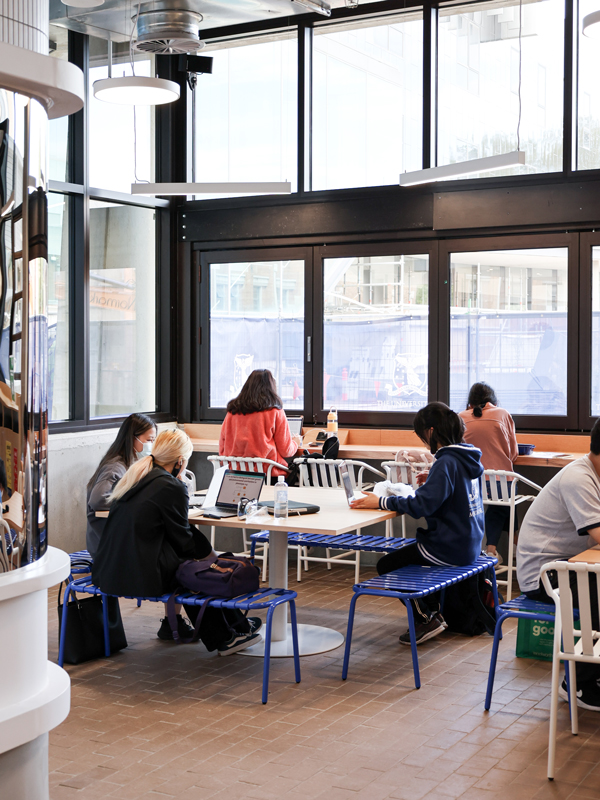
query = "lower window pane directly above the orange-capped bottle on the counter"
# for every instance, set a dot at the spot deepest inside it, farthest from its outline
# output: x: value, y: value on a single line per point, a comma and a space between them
x: 375, y: 332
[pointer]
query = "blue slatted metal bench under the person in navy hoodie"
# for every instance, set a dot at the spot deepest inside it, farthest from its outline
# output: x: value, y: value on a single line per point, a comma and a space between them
x: 412, y: 583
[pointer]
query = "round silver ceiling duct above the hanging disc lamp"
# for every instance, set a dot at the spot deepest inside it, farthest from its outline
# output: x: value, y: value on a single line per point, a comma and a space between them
x: 168, y: 31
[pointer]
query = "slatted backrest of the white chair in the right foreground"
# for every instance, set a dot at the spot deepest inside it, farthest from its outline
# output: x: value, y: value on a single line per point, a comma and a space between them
x: 587, y: 644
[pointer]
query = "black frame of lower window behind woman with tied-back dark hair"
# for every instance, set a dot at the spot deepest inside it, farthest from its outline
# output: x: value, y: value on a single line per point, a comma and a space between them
x: 517, y: 242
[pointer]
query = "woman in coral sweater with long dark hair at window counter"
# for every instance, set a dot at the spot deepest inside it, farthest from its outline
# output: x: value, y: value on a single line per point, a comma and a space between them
x: 255, y: 425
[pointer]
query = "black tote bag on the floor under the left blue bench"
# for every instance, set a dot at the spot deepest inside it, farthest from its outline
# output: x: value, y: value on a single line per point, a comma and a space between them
x: 84, y: 637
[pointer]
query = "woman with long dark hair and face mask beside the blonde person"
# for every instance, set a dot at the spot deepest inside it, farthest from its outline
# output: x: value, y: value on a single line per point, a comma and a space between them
x: 135, y: 438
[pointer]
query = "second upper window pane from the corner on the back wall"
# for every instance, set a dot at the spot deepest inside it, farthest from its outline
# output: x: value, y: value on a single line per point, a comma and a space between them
x: 368, y: 98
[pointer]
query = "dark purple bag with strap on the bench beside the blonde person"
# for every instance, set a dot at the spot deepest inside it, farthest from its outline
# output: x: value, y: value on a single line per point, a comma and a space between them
x: 223, y: 576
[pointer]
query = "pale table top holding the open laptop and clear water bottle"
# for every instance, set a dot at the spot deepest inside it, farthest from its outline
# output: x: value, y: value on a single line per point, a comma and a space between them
x: 335, y: 516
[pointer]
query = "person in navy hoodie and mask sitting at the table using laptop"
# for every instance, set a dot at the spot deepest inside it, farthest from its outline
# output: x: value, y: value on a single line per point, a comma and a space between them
x: 450, y: 500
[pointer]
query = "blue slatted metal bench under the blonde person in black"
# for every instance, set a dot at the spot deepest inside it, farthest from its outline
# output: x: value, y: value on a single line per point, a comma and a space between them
x: 261, y: 599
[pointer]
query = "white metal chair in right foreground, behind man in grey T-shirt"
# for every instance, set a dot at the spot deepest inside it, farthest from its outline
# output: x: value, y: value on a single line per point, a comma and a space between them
x: 570, y: 645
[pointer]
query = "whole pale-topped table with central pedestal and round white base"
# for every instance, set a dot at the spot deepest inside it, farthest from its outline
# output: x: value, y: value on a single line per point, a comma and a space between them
x: 334, y: 518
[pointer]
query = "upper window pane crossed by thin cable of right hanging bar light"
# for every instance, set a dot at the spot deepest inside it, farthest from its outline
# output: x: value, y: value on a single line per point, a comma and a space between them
x: 478, y: 74
